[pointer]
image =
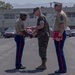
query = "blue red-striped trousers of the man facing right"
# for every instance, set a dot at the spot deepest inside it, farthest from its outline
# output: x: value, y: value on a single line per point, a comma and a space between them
x: 19, y: 48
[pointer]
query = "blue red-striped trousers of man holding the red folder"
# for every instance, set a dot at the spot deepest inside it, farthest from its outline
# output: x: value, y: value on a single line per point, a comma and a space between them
x: 60, y: 54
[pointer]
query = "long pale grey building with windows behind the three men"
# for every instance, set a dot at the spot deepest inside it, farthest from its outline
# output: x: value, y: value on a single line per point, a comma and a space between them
x: 8, y: 17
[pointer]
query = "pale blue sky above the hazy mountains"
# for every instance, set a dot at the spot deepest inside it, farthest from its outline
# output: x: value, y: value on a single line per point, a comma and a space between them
x: 35, y: 1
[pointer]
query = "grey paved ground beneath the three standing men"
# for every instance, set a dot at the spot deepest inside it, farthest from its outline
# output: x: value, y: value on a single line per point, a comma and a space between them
x: 31, y: 58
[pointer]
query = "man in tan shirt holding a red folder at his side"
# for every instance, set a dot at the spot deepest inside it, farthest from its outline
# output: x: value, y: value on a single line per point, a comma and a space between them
x: 60, y: 36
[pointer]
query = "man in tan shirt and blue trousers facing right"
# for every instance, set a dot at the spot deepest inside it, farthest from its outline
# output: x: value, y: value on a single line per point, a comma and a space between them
x: 20, y: 39
